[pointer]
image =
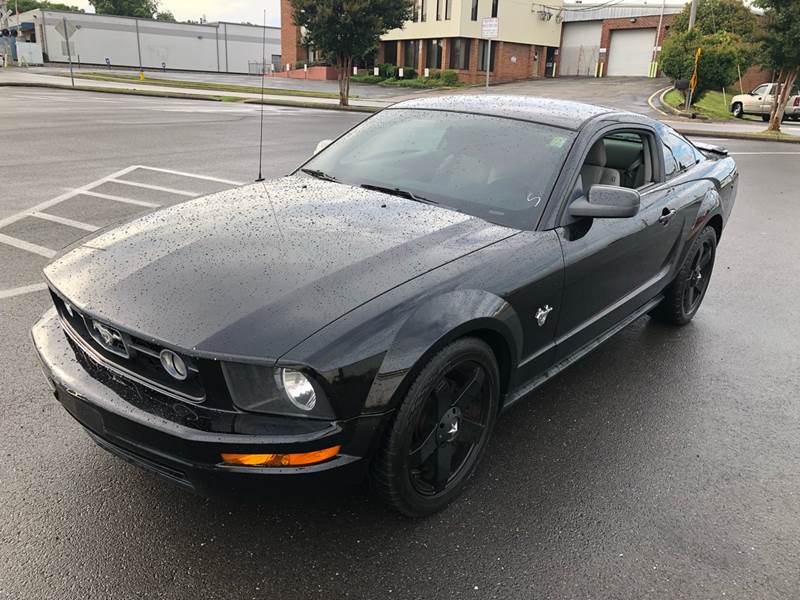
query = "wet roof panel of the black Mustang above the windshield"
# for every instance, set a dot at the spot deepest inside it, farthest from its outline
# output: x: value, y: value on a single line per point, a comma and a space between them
x: 561, y: 113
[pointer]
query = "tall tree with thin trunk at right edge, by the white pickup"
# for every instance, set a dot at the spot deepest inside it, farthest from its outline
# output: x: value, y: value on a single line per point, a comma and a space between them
x: 781, y: 46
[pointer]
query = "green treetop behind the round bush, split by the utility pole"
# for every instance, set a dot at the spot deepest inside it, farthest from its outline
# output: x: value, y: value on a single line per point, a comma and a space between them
x: 713, y: 16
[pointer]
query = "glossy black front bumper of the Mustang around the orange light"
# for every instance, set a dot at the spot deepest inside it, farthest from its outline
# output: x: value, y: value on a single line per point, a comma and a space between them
x: 183, y: 442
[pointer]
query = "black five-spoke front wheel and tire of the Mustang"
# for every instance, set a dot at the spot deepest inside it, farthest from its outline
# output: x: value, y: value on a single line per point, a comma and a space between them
x: 440, y: 431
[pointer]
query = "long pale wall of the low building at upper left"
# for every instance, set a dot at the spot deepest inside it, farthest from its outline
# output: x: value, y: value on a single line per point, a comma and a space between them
x: 225, y: 47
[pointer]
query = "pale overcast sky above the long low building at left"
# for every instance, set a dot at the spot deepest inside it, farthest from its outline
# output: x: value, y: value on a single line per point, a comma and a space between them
x: 230, y: 10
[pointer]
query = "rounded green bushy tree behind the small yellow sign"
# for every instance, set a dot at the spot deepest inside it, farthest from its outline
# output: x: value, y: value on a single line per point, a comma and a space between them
x: 717, y: 68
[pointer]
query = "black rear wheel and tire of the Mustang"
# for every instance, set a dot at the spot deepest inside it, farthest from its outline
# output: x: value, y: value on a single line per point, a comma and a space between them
x: 685, y: 294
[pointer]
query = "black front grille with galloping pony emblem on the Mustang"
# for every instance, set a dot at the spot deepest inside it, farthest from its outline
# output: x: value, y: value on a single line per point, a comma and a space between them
x: 135, y: 357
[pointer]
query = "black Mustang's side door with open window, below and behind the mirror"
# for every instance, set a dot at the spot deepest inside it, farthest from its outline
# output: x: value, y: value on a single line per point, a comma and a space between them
x: 614, y: 266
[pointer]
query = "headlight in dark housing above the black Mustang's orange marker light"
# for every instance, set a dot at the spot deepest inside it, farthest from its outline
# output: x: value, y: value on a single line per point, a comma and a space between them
x: 266, y: 390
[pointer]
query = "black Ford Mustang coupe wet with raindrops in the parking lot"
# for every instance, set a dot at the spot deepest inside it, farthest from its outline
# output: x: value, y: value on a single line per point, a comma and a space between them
x: 373, y: 312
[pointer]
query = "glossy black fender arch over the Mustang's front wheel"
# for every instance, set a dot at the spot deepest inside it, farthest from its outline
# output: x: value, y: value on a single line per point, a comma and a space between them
x: 434, y: 324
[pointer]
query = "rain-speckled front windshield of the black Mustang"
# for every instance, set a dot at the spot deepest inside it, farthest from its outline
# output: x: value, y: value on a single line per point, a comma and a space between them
x: 498, y: 169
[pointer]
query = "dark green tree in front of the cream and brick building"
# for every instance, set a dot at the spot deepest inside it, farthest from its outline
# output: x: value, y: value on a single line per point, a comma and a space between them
x: 347, y: 29
